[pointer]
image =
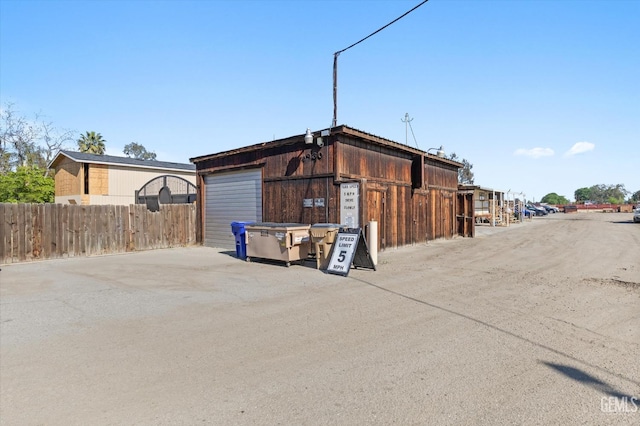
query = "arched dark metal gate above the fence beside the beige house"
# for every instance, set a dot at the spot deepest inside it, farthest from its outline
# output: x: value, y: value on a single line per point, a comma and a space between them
x: 166, y: 189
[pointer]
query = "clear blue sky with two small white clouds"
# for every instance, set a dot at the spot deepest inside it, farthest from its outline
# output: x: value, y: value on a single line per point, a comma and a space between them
x: 540, y: 96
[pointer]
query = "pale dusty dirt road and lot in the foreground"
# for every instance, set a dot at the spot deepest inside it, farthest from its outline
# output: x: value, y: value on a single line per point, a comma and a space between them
x: 535, y: 324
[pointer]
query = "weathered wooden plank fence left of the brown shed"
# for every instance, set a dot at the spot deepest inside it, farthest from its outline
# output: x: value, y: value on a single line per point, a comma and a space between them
x: 48, y: 231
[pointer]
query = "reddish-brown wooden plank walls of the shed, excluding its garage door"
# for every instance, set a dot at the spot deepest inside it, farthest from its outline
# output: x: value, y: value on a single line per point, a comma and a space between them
x: 412, y: 198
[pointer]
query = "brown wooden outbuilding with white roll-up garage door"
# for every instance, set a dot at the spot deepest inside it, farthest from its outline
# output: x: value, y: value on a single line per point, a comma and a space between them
x: 339, y: 175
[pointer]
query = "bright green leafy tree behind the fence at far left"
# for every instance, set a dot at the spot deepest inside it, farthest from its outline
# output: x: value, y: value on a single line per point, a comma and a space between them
x: 27, y: 184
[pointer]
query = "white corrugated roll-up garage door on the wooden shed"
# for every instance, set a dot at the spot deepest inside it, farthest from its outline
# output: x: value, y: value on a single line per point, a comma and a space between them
x: 232, y: 196
